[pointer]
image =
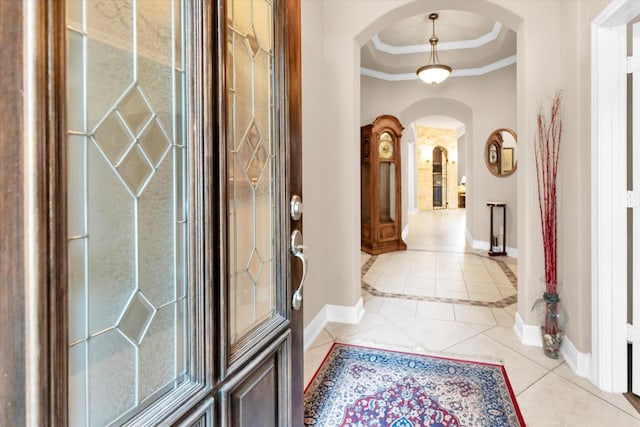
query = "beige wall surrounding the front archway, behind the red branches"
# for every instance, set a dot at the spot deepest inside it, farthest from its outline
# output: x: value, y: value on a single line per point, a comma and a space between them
x: 553, y: 52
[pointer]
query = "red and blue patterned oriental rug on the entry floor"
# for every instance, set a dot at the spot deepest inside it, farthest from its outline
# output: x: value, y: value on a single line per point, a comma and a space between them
x: 360, y: 386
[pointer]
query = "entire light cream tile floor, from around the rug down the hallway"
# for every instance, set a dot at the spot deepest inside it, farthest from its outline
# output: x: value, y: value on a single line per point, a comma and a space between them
x: 443, y: 315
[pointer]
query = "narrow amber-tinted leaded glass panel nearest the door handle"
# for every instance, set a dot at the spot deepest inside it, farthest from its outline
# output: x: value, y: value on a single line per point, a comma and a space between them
x: 253, y: 160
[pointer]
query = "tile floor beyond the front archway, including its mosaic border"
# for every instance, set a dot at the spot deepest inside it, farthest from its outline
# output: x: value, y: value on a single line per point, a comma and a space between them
x: 439, y: 268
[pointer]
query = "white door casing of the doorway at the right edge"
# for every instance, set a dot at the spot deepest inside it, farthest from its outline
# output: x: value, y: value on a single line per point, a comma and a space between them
x: 609, y: 233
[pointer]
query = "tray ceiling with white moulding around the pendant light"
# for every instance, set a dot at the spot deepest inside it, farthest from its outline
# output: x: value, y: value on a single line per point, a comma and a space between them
x: 469, y: 43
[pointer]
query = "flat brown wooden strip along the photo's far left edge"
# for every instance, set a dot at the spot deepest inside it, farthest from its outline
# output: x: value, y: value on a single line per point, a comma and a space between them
x: 12, y: 298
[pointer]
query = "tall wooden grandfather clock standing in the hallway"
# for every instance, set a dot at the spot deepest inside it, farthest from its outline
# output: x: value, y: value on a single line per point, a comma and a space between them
x: 381, y: 210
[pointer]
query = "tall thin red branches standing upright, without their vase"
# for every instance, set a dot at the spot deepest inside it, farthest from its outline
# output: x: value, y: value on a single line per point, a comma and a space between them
x: 547, y: 148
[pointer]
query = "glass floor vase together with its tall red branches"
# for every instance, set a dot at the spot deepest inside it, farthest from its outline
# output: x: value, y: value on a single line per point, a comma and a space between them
x: 547, y: 149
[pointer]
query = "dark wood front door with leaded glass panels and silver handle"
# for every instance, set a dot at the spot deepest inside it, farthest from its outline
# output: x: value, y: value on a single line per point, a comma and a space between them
x: 182, y: 152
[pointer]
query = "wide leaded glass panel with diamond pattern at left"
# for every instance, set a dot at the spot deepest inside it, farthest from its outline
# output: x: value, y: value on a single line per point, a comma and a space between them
x: 127, y: 181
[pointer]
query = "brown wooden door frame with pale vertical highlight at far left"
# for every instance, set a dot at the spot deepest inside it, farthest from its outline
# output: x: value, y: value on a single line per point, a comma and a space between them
x: 30, y: 183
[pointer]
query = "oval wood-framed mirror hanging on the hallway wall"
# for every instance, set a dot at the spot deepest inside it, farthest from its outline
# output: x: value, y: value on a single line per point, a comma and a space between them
x: 500, y: 152
